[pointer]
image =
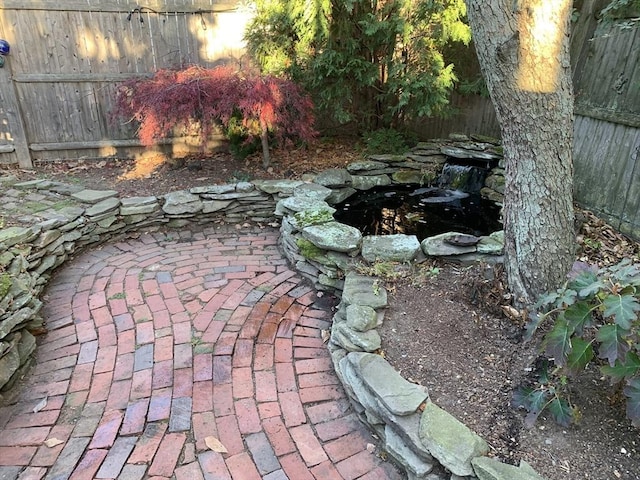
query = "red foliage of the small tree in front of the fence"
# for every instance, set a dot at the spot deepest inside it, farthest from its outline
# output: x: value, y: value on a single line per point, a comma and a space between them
x: 210, y: 98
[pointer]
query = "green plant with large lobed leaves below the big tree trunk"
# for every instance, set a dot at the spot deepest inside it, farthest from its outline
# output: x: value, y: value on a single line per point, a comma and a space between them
x: 594, y: 314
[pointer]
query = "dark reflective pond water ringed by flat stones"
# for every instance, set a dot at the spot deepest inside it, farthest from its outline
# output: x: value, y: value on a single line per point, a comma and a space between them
x: 423, y: 212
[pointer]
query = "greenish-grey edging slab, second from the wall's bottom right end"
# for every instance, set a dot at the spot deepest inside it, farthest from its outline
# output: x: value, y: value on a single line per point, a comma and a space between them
x: 449, y: 440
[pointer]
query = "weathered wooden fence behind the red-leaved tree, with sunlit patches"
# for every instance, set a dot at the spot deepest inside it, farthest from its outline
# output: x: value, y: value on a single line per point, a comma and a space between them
x: 58, y: 85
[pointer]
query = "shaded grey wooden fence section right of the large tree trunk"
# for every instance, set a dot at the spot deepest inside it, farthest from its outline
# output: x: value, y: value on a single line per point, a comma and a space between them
x: 606, y: 60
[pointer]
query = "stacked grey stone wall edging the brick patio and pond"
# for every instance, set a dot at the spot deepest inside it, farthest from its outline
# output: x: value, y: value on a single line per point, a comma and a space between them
x: 63, y: 219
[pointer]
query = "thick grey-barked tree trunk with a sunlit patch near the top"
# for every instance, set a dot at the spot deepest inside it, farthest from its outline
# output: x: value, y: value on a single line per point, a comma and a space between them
x: 523, y: 48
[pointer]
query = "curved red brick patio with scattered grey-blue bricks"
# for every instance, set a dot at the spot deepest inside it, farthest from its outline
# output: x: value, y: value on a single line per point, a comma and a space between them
x: 156, y: 343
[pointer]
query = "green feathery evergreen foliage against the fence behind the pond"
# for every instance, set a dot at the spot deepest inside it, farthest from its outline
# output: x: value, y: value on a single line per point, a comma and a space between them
x: 373, y: 63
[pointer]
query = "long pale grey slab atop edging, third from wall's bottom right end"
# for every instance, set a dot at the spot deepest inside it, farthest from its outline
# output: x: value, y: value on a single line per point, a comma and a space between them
x: 395, y: 393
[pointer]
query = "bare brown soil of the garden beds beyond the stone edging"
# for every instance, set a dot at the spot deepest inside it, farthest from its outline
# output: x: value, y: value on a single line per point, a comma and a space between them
x: 445, y: 331
